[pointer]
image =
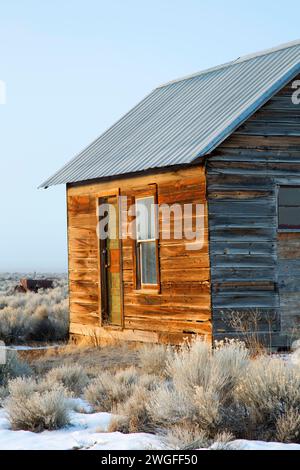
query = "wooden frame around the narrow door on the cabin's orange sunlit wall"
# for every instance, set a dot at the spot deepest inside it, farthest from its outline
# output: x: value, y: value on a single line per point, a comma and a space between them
x: 103, y: 323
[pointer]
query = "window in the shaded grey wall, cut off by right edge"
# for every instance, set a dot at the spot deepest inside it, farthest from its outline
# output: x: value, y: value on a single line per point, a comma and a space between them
x: 289, y: 208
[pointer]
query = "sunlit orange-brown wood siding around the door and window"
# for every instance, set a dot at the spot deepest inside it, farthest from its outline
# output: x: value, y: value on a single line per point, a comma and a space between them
x: 182, y: 306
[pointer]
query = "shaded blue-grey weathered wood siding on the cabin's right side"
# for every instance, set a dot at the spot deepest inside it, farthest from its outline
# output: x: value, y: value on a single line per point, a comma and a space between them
x: 253, y: 269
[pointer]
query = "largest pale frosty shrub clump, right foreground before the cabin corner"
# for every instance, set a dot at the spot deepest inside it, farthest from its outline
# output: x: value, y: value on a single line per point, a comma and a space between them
x: 225, y: 389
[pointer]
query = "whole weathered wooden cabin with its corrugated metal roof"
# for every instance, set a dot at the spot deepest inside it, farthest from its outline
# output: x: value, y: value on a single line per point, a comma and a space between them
x: 227, y: 140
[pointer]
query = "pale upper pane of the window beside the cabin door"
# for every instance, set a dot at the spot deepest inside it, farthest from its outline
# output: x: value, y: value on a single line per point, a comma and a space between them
x: 145, y: 218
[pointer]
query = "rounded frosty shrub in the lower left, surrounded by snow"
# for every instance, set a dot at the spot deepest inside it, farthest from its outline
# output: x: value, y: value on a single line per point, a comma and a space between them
x: 34, y: 407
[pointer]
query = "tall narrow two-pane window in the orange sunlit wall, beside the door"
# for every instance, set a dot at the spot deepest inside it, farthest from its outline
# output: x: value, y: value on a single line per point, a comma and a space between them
x: 146, y: 242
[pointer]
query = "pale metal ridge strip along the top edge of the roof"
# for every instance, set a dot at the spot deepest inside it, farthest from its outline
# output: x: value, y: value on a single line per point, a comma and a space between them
x: 244, y: 58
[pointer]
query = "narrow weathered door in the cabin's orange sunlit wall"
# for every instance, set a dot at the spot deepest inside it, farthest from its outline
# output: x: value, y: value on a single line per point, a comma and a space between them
x: 110, y: 265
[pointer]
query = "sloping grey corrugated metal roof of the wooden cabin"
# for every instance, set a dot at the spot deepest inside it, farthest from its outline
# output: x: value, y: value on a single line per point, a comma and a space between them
x: 183, y: 120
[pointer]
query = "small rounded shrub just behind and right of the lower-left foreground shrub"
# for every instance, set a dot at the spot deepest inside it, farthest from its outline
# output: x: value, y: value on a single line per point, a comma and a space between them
x: 72, y: 377
